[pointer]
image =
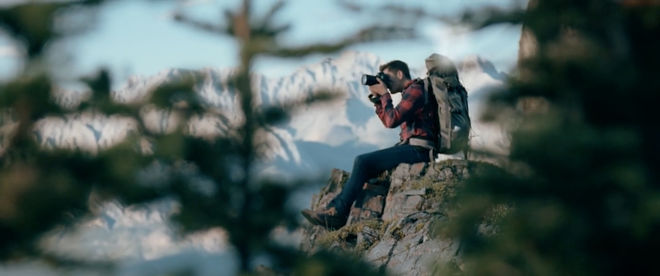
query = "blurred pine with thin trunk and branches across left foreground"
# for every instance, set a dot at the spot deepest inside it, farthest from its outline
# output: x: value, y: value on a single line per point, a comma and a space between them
x: 42, y: 188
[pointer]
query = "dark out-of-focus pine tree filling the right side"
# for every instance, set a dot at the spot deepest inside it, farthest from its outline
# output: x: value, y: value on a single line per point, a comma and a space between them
x: 583, y: 188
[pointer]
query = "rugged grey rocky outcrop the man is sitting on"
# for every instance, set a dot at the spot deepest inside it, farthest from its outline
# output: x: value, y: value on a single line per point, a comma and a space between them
x: 393, y: 224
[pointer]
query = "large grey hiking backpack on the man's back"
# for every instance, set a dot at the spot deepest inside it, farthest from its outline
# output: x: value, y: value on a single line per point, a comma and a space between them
x: 453, y: 116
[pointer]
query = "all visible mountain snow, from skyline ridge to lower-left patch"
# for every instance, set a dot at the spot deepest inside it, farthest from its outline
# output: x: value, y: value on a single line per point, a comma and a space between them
x: 317, y: 138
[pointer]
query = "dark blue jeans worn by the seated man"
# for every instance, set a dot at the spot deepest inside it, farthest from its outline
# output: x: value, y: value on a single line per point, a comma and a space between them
x: 369, y: 165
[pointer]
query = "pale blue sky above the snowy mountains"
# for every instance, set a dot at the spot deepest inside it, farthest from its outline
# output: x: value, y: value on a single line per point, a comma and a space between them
x: 139, y: 37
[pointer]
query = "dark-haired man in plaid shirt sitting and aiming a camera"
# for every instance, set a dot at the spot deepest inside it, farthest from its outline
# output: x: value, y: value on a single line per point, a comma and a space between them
x: 419, y: 127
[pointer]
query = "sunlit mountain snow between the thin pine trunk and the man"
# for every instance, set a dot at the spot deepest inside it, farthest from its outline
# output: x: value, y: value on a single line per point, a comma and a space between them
x: 344, y: 120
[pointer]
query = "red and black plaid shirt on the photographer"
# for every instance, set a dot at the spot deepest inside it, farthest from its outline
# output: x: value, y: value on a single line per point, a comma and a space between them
x: 415, y: 120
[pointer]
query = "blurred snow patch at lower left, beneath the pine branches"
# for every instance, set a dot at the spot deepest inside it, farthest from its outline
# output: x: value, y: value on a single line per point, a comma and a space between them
x: 133, y: 232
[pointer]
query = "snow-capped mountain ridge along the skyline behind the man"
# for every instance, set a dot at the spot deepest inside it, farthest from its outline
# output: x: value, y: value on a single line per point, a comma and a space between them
x: 317, y: 138
